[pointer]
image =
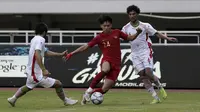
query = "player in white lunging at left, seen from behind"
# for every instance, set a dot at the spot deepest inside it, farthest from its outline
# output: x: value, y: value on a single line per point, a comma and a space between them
x: 37, y: 74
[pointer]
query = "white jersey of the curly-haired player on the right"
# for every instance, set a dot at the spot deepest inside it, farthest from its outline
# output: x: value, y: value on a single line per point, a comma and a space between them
x: 140, y: 44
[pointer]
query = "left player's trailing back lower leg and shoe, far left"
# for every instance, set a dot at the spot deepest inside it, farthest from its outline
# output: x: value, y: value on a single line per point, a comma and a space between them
x: 20, y: 92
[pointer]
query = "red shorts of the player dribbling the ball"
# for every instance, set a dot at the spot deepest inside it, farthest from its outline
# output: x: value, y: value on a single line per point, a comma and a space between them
x: 114, y: 71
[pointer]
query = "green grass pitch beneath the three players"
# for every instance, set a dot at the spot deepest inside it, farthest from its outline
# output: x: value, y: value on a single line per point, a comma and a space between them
x: 114, y: 101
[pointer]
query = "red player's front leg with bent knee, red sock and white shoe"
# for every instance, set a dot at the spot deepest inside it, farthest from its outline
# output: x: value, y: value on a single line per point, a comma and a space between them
x: 95, y: 81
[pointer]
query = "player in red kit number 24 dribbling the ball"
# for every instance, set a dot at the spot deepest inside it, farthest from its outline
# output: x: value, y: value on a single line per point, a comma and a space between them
x: 109, y: 43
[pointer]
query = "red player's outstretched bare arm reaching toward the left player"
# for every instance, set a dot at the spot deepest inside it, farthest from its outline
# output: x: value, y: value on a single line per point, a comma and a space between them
x: 78, y: 50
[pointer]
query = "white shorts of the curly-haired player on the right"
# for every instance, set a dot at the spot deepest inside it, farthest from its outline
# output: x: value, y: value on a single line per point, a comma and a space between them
x: 142, y: 62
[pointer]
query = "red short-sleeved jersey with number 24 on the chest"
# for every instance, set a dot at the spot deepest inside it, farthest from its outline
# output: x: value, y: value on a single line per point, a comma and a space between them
x: 109, y: 45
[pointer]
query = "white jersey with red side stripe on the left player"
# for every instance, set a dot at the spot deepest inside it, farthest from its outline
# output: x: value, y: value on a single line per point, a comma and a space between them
x: 33, y: 69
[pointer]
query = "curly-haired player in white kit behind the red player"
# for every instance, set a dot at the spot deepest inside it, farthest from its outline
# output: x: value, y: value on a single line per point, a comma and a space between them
x: 141, y: 50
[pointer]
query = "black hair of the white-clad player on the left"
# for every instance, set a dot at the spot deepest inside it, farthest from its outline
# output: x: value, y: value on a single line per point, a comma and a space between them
x: 41, y: 28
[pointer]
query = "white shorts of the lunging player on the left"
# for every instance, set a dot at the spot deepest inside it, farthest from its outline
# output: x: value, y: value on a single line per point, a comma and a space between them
x: 45, y: 82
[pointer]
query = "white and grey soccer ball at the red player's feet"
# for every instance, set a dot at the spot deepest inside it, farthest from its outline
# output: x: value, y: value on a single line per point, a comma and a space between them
x: 97, y: 98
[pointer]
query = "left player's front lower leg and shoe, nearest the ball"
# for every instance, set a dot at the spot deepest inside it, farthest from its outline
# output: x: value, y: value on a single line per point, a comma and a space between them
x: 61, y: 94
